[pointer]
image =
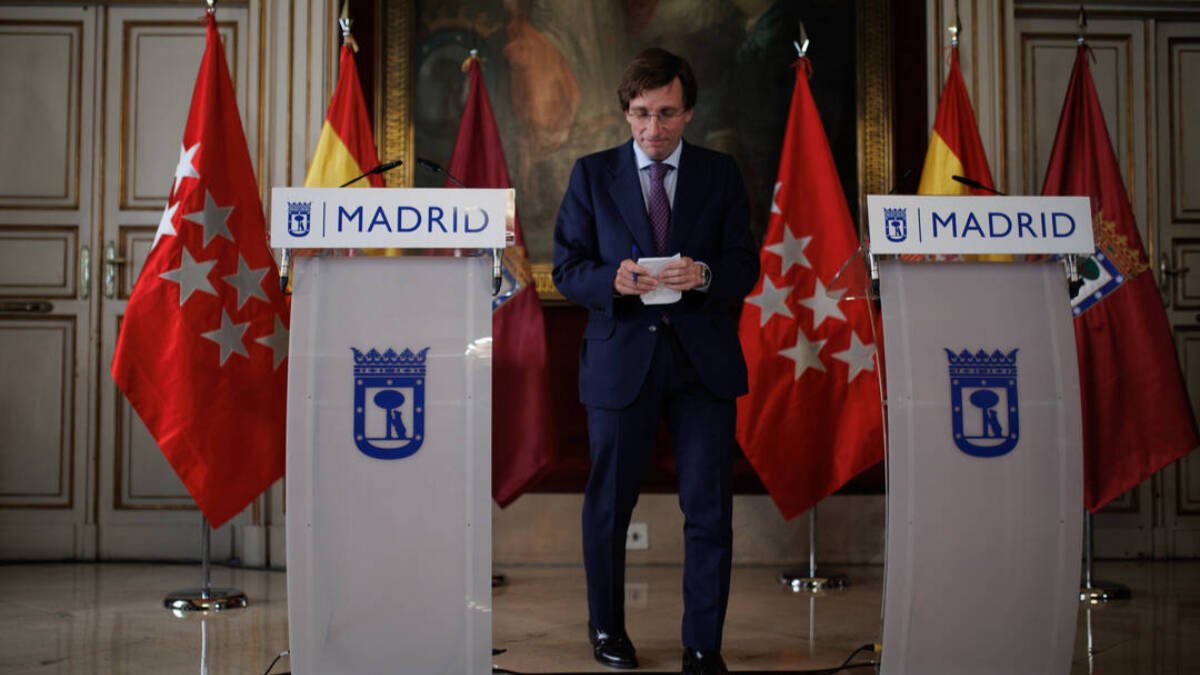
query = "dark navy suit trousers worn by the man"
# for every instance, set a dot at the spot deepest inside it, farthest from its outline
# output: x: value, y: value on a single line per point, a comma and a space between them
x: 703, y: 428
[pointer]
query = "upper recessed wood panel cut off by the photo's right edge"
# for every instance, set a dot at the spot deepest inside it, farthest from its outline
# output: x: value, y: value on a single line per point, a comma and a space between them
x: 1184, y: 68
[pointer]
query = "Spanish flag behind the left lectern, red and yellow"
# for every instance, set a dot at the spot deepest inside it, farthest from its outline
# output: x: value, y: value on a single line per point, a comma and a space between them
x: 346, y: 148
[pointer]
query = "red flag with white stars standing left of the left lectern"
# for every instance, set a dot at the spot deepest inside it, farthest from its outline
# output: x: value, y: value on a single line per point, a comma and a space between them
x: 203, y: 344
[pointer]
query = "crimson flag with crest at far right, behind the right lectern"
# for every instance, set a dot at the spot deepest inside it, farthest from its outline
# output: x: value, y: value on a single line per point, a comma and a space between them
x: 1137, y: 417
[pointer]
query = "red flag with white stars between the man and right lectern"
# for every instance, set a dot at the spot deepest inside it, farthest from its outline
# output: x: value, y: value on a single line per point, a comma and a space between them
x: 812, y: 421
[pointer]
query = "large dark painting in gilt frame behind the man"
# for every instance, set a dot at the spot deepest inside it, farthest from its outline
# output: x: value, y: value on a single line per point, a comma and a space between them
x: 553, y: 69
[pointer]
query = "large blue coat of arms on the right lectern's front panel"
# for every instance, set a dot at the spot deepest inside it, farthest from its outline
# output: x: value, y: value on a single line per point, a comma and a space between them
x: 983, y: 402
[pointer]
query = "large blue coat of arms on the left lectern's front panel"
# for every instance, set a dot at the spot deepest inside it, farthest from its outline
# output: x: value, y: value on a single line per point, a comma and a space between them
x: 389, y: 403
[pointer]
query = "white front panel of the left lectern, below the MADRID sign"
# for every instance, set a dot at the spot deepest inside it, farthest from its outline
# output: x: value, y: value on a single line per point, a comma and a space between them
x: 389, y: 467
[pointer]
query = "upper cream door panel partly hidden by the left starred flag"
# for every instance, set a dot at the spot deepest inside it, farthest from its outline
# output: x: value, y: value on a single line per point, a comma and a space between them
x: 154, y: 100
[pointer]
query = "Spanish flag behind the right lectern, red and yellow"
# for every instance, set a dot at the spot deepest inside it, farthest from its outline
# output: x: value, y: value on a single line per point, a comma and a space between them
x: 955, y: 147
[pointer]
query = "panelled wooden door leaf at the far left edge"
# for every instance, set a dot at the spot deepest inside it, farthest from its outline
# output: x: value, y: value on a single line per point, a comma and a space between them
x: 49, y: 210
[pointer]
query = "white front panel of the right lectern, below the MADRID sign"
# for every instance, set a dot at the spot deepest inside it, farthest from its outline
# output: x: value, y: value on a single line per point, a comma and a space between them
x: 985, y: 470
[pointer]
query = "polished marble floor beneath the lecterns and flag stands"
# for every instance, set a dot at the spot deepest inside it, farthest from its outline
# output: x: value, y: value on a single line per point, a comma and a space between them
x: 109, y: 619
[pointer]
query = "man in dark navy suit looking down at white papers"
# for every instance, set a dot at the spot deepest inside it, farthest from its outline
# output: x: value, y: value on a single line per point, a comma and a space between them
x: 641, y: 365
